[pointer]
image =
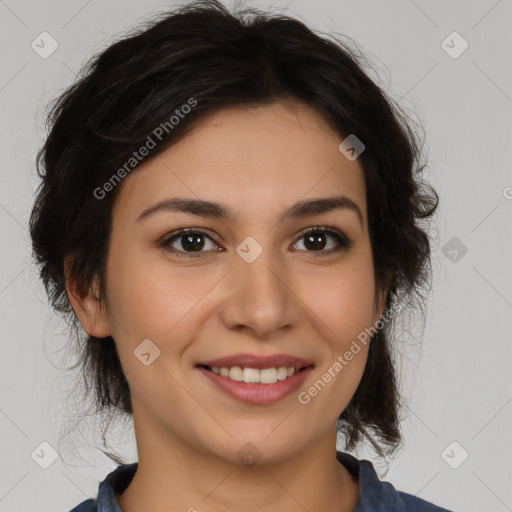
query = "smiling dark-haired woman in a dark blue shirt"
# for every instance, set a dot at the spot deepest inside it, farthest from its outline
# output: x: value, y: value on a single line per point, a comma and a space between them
x: 229, y: 210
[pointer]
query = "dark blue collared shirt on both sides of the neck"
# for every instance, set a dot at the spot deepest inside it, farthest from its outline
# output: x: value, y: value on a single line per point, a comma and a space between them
x: 375, y: 495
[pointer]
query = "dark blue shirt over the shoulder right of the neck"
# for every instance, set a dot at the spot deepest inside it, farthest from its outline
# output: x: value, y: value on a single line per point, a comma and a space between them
x: 380, y: 496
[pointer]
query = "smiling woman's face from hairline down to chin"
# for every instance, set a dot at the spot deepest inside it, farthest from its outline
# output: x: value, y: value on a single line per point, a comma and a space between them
x: 251, y: 283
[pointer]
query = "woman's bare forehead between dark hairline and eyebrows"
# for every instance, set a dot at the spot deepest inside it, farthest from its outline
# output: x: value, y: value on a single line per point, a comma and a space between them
x: 258, y: 159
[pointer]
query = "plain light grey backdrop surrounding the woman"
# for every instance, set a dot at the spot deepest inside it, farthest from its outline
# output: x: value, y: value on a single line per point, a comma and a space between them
x: 457, y: 380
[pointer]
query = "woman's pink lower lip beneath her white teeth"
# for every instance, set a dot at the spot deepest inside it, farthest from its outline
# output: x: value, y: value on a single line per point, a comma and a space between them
x: 256, y: 393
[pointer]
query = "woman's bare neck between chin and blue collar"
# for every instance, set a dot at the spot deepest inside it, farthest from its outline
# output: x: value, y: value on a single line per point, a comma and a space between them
x: 179, y: 477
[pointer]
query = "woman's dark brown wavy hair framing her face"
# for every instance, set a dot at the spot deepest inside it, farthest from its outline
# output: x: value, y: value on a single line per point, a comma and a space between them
x: 220, y: 59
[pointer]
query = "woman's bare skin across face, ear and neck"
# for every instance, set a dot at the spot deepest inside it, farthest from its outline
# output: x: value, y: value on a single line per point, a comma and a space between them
x: 259, y: 161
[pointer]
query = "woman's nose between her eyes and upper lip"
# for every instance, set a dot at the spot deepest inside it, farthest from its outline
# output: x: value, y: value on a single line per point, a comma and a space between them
x: 259, y: 297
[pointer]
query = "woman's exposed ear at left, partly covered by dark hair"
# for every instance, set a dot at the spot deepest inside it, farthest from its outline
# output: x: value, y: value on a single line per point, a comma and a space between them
x: 87, y: 307
